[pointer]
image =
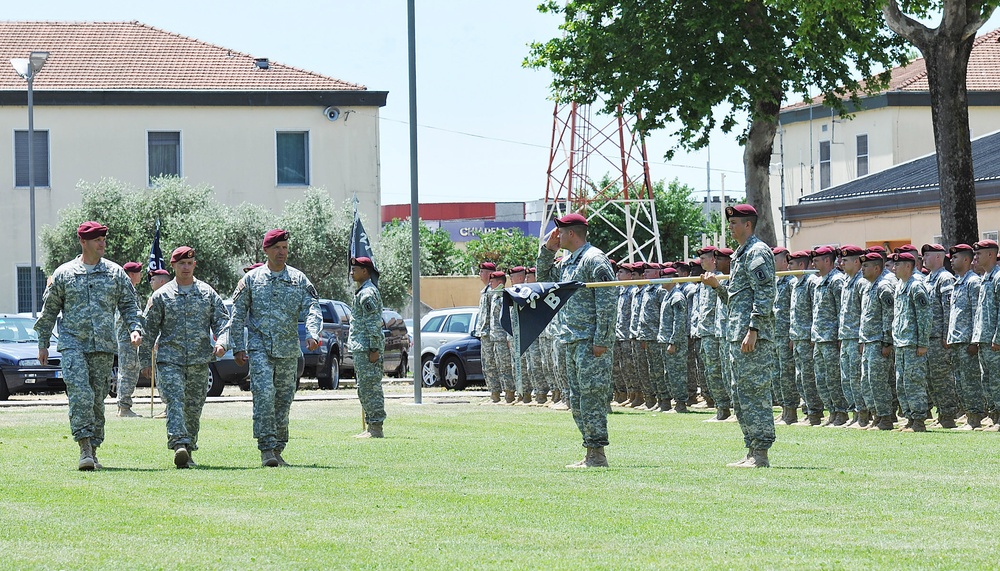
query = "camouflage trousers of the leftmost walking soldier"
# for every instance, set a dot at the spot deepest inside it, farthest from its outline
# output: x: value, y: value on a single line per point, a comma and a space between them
x: 88, y: 379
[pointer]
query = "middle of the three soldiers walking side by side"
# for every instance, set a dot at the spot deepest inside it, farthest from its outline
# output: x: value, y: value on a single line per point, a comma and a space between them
x: 180, y: 316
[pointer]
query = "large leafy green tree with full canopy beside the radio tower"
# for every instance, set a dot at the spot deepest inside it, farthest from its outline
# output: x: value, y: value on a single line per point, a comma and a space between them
x: 679, y: 62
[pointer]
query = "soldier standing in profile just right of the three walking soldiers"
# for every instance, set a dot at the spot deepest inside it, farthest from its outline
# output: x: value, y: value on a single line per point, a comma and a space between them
x: 366, y: 342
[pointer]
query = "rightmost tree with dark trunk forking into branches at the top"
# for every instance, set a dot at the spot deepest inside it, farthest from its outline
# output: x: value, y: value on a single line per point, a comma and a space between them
x: 946, y: 50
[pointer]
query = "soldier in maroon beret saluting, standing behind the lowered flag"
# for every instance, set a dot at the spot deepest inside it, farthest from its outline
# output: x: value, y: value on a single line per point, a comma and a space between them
x: 586, y: 330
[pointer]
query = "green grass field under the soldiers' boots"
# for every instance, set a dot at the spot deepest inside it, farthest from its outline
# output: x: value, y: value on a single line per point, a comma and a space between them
x: 462, y: 486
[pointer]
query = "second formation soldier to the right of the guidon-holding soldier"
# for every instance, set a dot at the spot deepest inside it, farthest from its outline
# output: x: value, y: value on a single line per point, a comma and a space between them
x: 800, y: 319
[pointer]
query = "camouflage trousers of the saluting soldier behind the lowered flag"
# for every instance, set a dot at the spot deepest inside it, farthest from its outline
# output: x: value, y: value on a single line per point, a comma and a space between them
x: 589, y: 383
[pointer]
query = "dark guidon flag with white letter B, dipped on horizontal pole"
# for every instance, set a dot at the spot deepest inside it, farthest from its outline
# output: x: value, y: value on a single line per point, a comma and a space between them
x: 535, y: 305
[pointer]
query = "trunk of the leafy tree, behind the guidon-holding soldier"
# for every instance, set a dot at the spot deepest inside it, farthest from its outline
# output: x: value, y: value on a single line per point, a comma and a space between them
x: 756, y: 163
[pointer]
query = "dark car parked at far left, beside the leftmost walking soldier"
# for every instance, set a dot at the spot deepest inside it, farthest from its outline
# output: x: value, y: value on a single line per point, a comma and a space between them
x: 20, y: 369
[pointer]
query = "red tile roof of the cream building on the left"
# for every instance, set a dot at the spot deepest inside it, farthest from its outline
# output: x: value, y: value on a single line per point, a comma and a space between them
x: 131, y: 56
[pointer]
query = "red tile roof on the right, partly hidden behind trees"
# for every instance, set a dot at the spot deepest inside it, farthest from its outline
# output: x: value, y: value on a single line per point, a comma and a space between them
x: 983, y: 72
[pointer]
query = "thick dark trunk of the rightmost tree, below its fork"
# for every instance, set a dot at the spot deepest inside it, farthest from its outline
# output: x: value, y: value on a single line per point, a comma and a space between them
x: 947, y: 66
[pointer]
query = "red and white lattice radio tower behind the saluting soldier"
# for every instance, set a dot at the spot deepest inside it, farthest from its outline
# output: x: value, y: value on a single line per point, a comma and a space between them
x: 583, y: 144
